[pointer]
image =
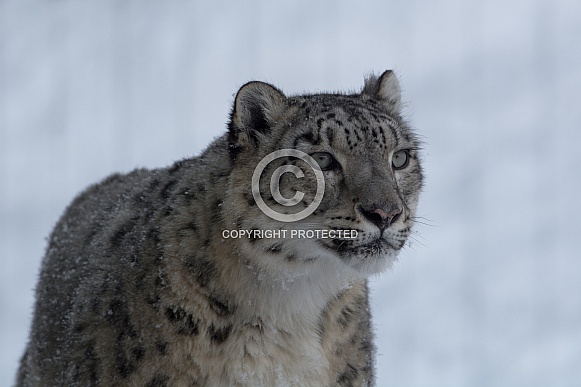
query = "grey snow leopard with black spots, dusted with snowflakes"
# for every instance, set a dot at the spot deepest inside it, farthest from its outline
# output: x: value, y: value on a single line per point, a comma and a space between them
x: 176, y: 276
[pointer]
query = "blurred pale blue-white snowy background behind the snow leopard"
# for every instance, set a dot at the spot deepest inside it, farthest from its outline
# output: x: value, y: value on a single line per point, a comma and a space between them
x: 489, y: 292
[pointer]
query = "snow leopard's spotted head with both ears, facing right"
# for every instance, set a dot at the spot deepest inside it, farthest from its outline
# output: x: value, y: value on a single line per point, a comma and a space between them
x: 369, y: 160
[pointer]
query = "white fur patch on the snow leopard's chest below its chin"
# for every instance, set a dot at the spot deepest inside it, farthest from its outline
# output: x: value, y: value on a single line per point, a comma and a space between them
x: 277, y: 342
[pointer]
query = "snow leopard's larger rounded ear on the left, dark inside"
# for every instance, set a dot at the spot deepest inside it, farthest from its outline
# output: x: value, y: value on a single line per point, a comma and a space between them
x: 256, y: 108
